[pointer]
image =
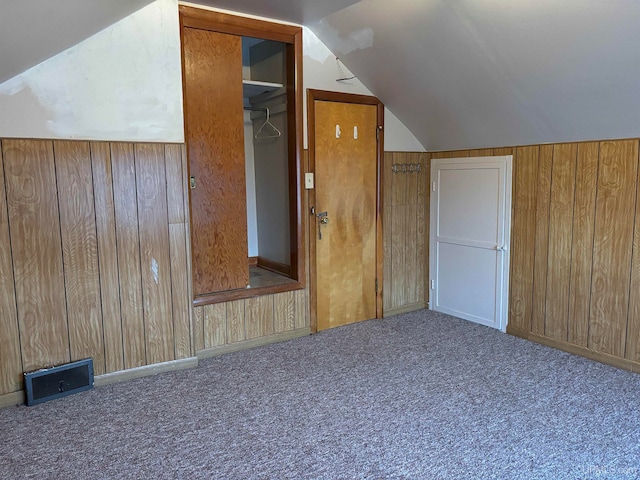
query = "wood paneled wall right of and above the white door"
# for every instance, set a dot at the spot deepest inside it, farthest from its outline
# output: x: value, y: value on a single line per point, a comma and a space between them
x: 575, y: 247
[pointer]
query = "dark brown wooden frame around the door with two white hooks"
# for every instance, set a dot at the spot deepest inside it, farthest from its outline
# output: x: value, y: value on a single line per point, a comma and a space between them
x: 328, y: 96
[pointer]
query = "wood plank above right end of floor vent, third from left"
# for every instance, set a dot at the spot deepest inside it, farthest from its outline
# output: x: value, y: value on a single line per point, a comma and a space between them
x: 80, y: 251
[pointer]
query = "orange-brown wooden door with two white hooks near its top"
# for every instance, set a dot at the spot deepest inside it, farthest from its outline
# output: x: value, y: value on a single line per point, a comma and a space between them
x: 346, y: 189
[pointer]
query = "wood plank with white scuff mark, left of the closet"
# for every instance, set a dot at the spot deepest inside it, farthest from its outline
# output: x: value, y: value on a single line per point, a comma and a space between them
x: 151, y: 185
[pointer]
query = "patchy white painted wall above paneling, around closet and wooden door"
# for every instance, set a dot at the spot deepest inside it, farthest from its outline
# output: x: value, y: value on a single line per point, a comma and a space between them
x: 124, y: 84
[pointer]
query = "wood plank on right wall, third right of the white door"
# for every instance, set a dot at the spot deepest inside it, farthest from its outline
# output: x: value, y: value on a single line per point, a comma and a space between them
x: 563, y: 174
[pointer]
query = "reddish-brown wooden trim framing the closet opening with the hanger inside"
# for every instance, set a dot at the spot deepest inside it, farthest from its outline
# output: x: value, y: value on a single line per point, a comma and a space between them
x: 291, y: 35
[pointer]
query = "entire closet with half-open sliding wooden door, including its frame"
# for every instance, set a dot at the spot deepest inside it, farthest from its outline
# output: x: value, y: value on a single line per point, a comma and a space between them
x: 243, y: 127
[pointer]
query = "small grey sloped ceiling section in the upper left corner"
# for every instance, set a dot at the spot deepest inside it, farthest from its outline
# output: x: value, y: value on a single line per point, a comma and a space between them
x: 33, y: 30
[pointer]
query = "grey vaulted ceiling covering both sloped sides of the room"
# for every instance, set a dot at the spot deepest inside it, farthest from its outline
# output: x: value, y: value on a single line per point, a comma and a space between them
x: 457, y: 73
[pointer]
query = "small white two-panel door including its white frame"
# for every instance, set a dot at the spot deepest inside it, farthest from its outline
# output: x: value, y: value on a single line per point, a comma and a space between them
x: 470, y: 233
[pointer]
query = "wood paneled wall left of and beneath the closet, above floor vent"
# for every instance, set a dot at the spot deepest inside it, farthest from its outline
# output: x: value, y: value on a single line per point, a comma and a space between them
x: 94, y: 262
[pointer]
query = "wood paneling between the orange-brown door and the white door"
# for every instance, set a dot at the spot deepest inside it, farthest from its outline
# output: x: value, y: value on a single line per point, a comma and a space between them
x: 406, y: 232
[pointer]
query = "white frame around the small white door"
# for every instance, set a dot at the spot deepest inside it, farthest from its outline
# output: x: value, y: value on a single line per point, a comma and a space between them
x: 503, y: 293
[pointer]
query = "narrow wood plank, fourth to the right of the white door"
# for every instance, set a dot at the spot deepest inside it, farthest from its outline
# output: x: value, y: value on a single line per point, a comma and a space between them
x: 582, y: 243
